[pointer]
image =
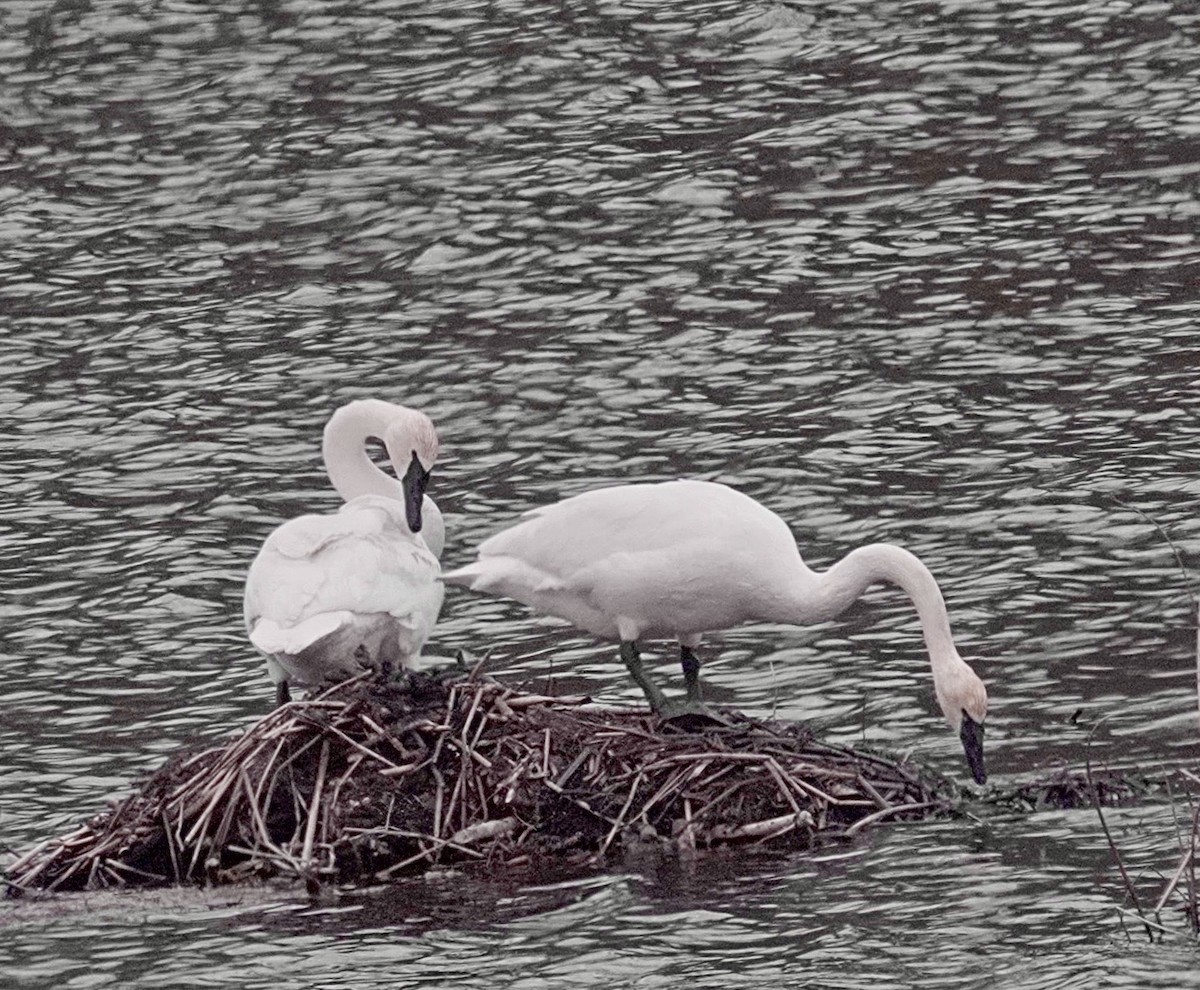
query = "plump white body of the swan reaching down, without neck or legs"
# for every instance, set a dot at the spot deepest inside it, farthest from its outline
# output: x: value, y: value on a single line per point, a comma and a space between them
x: 667, y: 559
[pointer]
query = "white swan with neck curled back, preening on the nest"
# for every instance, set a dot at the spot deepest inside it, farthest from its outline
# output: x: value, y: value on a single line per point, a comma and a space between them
x: 331, y: 595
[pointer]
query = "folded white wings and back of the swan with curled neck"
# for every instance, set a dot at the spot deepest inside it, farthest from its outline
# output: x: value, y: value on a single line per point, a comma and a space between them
x: 361, y: 561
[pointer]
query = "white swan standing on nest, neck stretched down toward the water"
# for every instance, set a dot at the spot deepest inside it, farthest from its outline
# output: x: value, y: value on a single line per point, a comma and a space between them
x: 677, y: 560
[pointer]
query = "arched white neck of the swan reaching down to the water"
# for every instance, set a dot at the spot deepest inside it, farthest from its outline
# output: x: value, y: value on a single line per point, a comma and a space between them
x: 825, y: 596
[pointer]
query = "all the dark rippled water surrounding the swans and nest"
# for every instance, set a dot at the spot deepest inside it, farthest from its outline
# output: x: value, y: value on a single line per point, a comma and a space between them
x: 911, y: 272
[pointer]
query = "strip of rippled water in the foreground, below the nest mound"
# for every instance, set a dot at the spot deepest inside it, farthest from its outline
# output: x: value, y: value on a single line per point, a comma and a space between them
x: 993, y: 907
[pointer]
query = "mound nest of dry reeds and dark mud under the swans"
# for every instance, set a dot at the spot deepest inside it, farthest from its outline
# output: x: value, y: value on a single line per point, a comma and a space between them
x: 368, y: 782
